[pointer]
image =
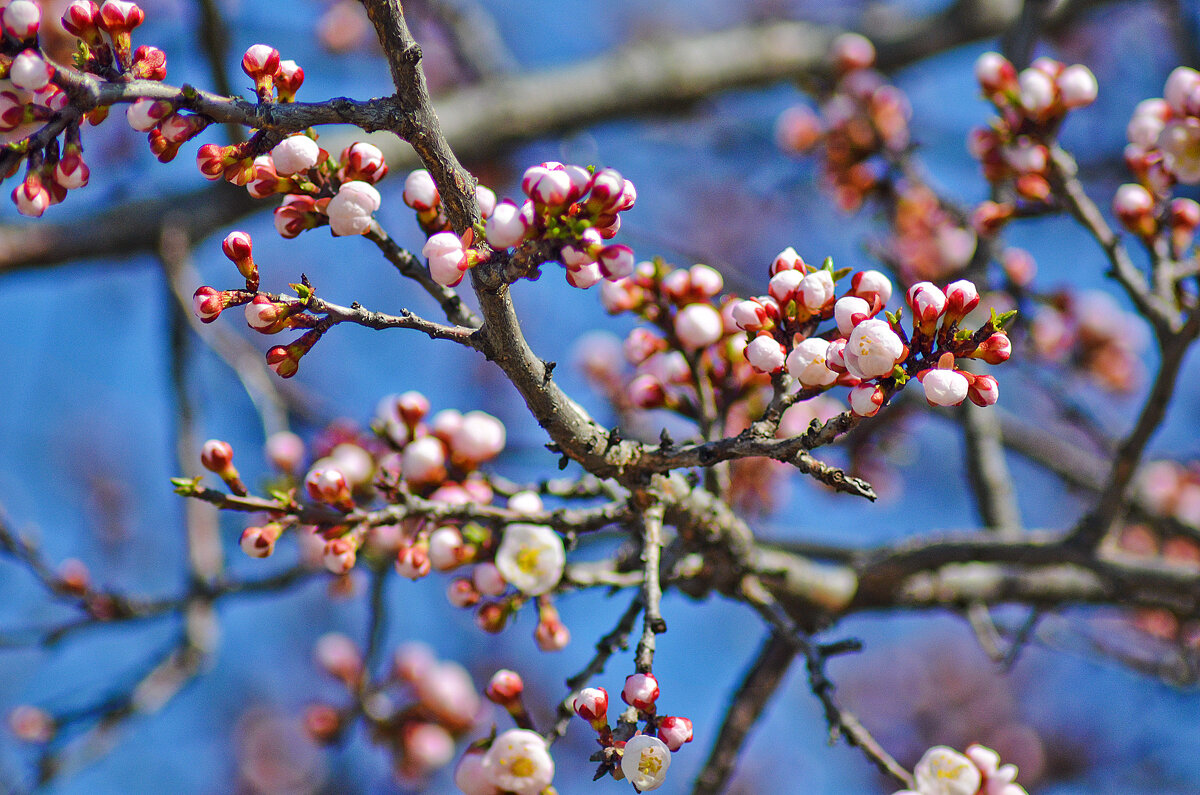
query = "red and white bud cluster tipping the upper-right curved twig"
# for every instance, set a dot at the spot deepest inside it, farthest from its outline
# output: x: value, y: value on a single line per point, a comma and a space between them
x: 1016, y: 150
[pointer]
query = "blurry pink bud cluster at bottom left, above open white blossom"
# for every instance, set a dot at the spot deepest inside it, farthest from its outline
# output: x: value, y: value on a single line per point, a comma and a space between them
x: 419, y: 710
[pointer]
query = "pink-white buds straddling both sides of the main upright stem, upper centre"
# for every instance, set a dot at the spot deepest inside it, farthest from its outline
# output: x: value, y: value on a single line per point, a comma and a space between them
x: 569, y: 214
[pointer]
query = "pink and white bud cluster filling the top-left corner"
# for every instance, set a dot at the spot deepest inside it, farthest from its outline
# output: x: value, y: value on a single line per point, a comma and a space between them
x: 31, y: 98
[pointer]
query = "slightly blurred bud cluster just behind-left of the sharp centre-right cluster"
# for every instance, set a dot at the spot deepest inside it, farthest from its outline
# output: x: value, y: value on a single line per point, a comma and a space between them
x: 694, y: 330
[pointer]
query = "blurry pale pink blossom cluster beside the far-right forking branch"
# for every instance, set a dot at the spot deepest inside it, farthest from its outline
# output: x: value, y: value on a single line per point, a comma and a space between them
x: 1090, y: 332
